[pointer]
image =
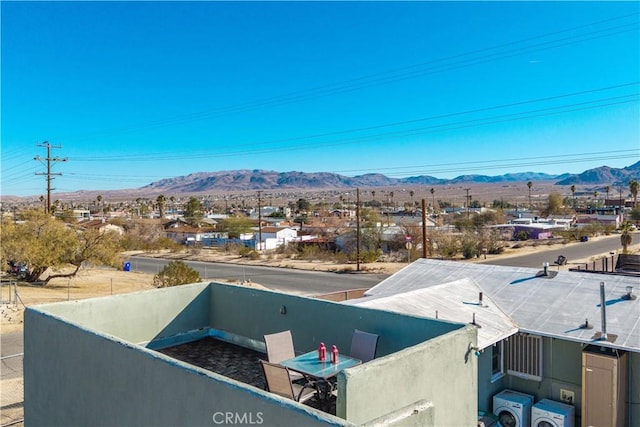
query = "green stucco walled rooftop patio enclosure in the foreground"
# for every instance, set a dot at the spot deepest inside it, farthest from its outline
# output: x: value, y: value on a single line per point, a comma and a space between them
x: 99, y: 361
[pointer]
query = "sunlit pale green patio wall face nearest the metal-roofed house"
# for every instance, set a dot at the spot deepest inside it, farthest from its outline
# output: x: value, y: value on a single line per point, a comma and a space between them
x: 441, y: 371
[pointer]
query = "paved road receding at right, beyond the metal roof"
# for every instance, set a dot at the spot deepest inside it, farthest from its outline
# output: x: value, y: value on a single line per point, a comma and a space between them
x: 573, y: 252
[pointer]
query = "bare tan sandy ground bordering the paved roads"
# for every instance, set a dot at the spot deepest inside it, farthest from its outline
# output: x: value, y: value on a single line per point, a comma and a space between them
x: 97, y: 282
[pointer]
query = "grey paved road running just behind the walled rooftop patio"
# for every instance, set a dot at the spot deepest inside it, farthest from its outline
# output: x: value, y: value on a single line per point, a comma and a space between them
x: 301, y: 282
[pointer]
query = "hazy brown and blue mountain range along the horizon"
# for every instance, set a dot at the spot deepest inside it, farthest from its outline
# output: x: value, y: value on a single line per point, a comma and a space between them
x: 258, y: 179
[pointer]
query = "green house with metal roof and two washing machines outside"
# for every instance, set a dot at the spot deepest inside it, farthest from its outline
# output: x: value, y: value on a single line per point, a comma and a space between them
x: 535, y: 328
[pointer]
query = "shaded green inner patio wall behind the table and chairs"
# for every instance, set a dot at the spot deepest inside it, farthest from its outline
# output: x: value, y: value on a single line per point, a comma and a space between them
x: 312, y: 321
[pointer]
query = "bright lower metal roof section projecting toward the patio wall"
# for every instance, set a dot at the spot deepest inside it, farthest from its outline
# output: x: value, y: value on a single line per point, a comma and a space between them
x: 456, y: 301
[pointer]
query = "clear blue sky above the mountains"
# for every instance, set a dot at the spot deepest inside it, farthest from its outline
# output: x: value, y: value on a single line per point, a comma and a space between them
x: 134, y: 92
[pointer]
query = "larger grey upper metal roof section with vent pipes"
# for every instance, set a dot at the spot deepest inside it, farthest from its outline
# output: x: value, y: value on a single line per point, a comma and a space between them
x: 554, y: 305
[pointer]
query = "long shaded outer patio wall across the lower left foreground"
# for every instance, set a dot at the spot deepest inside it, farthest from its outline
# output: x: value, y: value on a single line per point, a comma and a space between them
x: 74, y: 377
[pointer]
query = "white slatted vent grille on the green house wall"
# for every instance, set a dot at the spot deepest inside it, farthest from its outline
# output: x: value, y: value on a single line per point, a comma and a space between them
x: 524, y: 356
